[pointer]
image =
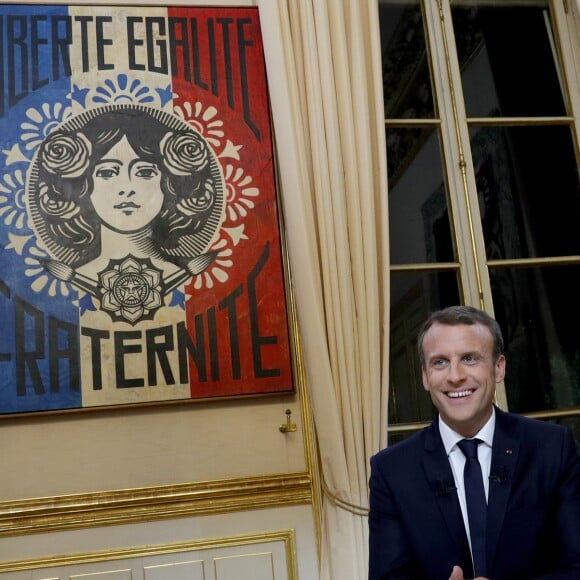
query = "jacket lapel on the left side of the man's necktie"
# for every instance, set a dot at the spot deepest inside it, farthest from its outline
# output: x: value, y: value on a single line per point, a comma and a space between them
x: 440, y: 477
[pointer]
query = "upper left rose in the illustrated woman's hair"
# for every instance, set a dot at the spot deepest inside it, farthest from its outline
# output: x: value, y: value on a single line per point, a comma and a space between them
x: 66, y: 155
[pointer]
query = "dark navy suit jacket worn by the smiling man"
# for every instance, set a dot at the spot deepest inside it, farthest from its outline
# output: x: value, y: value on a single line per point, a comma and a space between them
x: 533, y: 522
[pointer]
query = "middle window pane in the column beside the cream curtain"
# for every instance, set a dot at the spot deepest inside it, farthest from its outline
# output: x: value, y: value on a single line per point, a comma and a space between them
x: 418, y: 214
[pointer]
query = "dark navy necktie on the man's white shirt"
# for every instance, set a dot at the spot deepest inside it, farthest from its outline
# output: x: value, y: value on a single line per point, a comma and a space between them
x: 476, y: 504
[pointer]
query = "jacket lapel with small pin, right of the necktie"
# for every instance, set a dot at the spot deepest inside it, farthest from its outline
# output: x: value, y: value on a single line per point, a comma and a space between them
x: 505, y: 452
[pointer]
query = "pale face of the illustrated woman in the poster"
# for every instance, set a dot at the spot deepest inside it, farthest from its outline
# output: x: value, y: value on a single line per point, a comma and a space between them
x: 127, y: 192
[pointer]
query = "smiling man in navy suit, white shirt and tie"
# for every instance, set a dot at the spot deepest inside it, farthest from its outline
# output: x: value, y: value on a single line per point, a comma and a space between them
x: 420, y: 505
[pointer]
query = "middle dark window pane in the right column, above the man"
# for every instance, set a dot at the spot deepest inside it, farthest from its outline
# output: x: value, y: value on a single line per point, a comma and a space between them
x: 527, y: 183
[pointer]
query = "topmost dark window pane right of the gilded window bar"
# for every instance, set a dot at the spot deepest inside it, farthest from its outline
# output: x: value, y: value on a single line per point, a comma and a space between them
x: 509, y: 67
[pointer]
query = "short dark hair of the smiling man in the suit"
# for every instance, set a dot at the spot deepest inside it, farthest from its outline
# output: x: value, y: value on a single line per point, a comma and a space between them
x: 455, y: 315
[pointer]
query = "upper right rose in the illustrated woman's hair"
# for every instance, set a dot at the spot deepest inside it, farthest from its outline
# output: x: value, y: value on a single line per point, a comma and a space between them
x: 184, y: 153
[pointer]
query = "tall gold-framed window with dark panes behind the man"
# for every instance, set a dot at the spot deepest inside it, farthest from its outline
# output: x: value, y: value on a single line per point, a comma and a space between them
x: 482, y: 103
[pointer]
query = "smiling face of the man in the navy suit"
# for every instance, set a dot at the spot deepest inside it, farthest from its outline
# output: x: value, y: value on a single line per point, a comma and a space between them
x: 460, y: 374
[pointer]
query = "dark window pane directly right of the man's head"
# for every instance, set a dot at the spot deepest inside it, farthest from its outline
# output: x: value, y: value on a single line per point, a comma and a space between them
x: 537, y: 311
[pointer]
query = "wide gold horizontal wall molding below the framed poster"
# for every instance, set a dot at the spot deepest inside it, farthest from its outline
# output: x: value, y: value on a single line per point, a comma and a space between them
x: 51, y: 514
